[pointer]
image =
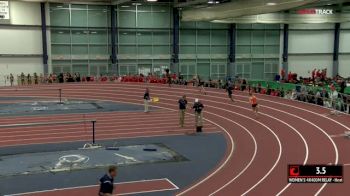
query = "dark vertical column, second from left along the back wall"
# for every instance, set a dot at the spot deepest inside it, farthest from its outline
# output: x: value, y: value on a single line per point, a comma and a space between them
x: 114, y: 41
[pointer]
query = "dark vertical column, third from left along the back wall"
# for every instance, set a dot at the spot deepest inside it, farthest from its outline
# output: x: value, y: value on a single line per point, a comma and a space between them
x: 175, y: 68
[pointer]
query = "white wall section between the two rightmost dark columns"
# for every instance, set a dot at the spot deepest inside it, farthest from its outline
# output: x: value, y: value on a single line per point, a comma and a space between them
x: 310, y: 48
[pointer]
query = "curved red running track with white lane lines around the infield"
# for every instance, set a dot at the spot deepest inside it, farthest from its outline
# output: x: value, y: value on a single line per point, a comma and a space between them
x: 258, y: 150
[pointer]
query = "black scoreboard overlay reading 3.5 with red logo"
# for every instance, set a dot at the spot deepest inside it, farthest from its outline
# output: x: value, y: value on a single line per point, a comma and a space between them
x: 315, y: 174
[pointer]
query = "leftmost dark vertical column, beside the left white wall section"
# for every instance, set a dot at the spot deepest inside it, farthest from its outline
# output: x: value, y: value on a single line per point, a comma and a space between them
x: 44, y: 37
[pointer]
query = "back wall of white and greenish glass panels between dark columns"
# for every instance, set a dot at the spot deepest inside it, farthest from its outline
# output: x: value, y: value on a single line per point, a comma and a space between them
x: 79, y: 41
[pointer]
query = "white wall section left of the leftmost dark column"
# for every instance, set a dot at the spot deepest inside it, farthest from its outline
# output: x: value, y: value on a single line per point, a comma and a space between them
x: 21, y: 40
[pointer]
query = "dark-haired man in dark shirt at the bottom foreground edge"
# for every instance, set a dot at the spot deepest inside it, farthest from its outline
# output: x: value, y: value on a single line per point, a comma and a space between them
x: 107, y: 182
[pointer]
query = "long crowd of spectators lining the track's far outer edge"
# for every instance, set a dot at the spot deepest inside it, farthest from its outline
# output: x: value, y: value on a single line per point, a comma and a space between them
x: 304, y: 92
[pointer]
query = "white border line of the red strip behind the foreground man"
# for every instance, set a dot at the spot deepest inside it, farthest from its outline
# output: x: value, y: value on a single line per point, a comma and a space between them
x: 171, y: 187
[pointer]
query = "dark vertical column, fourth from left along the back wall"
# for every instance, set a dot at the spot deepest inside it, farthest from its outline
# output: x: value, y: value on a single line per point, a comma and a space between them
x: 231, y: 66
